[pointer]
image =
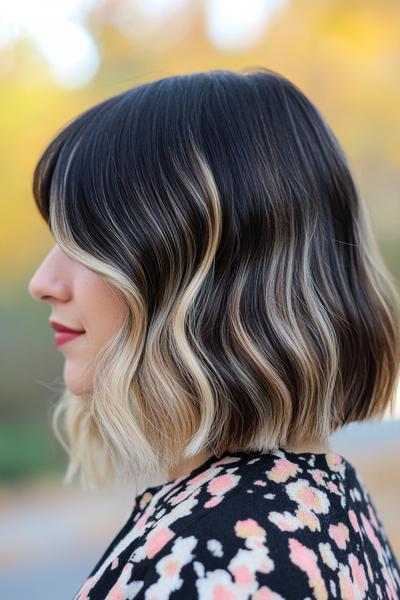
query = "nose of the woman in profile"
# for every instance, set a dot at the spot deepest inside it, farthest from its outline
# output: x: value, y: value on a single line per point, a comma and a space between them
x: 48, y: 281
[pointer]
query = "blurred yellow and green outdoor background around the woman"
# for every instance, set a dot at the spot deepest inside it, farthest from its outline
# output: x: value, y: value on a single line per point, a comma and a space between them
x: 57, y: 58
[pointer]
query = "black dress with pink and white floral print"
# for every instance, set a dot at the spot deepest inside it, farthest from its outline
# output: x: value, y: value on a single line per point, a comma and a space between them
x: 251, y: 525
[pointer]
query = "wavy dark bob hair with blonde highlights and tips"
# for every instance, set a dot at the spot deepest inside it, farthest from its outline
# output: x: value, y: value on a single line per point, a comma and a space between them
x: 221, y: 207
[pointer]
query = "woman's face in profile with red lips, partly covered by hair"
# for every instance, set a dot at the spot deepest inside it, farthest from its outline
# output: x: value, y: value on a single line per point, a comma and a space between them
x: 81, y: 300
